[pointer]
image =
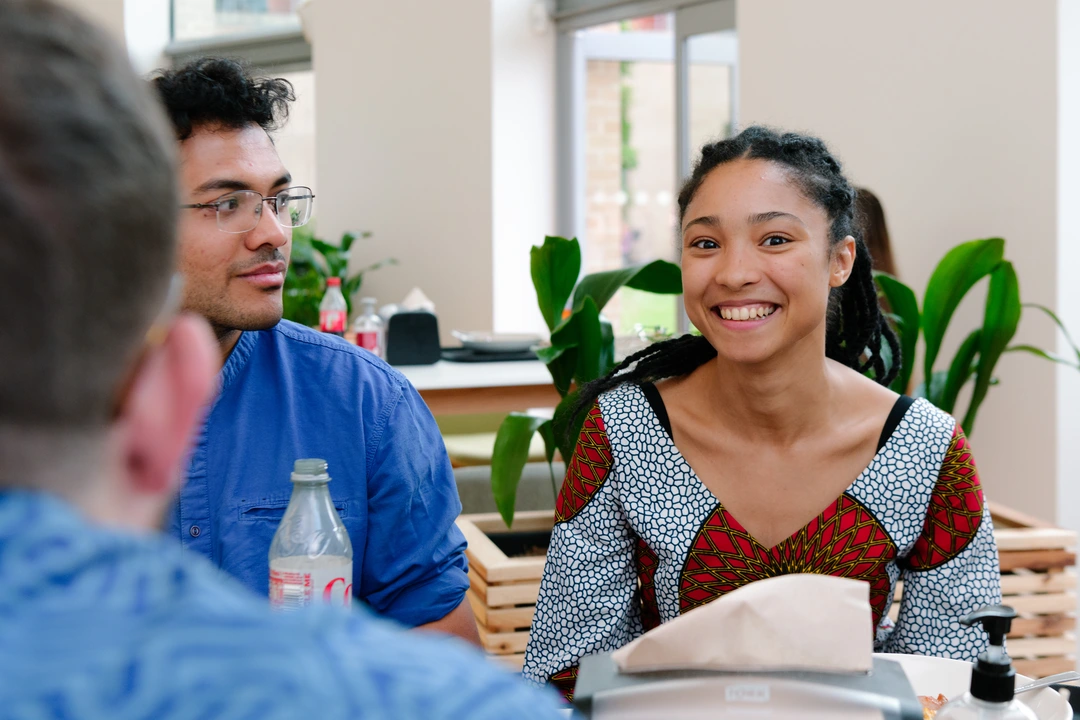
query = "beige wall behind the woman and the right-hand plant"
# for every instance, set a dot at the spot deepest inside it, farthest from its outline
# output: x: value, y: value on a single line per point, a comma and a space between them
x: 949, y: 112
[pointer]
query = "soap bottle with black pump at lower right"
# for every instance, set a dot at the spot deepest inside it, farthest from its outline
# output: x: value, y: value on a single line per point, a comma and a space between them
x: 993, y: 678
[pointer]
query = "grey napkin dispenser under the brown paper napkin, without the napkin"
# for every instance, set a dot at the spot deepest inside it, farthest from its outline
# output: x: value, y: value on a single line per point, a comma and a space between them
x: 885, y: 694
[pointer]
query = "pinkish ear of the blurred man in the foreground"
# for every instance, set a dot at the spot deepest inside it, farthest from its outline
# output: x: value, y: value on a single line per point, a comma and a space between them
x: 165, y: 405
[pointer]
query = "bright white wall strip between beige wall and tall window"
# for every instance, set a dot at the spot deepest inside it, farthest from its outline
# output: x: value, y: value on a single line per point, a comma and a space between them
x: 523, y: 203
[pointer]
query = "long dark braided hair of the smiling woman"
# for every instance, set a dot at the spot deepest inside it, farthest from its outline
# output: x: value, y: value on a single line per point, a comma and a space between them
x: 857, y: 331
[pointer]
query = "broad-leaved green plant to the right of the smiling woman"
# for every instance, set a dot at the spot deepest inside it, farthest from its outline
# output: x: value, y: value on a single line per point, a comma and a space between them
x: 962, y: 268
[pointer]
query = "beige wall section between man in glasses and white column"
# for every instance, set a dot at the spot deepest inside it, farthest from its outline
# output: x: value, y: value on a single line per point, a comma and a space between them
x: 404, y: 120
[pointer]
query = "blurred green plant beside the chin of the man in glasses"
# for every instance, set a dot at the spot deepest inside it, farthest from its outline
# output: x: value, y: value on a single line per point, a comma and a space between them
x: 315, y: 261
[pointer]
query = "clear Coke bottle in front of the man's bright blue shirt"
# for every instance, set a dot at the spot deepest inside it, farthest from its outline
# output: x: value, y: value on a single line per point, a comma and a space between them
x: 312, y: 554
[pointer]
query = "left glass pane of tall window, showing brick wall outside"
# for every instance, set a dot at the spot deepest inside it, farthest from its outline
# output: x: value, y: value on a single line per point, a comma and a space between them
x: 630, y: 165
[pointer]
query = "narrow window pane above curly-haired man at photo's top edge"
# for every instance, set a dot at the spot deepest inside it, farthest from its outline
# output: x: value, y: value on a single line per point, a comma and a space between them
x: 206, y: 19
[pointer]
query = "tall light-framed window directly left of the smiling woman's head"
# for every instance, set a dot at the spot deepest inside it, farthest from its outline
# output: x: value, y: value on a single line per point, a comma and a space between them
x: 641, y: 97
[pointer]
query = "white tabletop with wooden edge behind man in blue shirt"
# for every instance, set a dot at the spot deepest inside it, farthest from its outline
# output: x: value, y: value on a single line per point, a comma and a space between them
x: 474, y: 388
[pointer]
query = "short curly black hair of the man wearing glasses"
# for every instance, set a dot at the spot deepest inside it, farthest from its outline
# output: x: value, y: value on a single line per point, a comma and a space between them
x: 218, y: 91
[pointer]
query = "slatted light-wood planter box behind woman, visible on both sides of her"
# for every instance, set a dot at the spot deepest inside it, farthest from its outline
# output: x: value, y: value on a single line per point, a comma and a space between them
x: 1037, y: 579
